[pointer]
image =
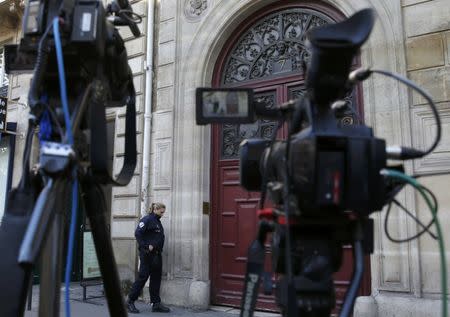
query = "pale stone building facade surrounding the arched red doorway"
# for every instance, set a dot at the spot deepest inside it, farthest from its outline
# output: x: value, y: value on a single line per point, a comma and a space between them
x: 178, y: 51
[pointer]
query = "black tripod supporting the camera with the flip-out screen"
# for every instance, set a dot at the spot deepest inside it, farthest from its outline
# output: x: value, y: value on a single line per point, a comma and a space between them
x: 315, y: 254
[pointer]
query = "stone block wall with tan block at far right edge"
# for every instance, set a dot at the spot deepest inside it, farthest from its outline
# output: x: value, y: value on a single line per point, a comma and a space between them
x: 427, y: 32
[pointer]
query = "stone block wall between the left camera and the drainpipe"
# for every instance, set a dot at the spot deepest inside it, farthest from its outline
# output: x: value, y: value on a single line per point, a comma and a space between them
x: 125, y: 208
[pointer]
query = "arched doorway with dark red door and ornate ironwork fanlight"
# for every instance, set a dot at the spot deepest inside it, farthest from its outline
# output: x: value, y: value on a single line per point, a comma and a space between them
x: 265, y: 53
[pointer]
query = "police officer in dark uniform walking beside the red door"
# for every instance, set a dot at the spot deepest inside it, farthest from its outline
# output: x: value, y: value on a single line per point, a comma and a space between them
x: 150, y: 238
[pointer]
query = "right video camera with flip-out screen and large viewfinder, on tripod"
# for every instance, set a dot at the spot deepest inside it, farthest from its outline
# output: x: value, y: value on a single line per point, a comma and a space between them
x: 324, y: 180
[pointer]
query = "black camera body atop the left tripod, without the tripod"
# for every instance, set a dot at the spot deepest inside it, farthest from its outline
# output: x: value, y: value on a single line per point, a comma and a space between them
x: 93, y: 47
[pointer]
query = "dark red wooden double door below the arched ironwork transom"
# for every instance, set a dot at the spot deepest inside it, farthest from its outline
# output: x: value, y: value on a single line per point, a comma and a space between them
x: 233, y: 219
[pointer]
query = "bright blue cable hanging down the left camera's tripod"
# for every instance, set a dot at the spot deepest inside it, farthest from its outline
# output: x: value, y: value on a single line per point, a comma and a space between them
x: 69, y: 137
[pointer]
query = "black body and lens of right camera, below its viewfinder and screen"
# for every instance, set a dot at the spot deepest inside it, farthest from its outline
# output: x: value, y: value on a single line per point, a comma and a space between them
x: 337, y: 169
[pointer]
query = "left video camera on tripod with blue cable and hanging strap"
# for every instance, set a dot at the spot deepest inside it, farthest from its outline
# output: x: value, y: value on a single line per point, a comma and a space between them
x: 80, y: 68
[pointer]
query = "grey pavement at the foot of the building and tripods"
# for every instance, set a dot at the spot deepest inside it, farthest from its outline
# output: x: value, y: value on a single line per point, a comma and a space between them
x: 95, y: 305
